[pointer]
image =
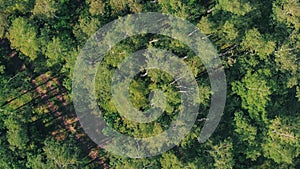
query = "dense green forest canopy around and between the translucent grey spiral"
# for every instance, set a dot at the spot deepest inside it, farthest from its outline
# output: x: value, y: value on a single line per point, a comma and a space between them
x: 257, y: 41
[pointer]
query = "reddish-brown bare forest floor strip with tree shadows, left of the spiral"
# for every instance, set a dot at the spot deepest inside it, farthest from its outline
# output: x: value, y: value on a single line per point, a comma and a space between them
x: 55, y: 100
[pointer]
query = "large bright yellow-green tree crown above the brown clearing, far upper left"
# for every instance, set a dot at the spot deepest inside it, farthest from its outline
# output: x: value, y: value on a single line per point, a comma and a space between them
x: 22, y: 36
